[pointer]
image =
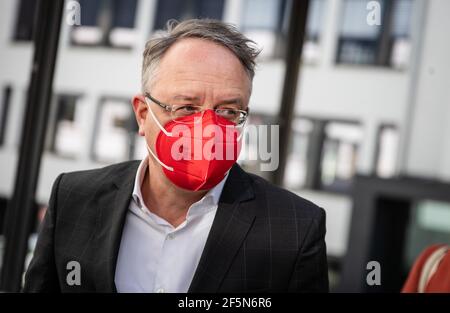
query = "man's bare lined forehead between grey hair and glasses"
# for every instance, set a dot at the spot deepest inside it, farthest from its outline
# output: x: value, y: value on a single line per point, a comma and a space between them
x: 198, y: 63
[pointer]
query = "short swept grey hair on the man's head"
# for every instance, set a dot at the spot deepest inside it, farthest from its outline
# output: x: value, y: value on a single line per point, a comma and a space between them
x: 224, y: 34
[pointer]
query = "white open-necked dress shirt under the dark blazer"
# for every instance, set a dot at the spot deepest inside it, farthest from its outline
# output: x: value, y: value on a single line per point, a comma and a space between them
x: 154, y: 256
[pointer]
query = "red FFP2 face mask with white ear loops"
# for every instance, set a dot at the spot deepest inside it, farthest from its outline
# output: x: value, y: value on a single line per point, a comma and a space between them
x: 198, y: 150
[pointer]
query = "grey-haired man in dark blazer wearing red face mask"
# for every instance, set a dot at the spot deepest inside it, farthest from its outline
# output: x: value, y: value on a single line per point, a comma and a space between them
x: 173, y: 222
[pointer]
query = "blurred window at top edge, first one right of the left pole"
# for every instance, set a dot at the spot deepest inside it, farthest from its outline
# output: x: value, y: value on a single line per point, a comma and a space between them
x: 106, y: 23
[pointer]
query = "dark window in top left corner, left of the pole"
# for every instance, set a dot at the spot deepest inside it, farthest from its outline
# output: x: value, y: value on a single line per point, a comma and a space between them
x: 25, y: 20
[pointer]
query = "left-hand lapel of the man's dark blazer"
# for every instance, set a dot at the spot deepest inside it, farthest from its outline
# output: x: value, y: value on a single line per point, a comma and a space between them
x: 113, y: 210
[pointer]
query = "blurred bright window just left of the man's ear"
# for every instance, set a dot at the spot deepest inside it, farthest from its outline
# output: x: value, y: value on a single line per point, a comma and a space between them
x: 115, y: 132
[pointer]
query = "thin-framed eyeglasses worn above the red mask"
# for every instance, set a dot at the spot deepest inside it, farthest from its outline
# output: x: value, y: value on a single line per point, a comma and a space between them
x: 233, y: 115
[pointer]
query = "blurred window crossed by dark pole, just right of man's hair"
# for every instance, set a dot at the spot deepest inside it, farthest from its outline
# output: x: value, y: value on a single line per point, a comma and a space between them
x: 266, y: 21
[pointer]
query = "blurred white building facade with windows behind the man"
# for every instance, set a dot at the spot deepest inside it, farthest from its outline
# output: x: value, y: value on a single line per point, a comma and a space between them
x: 371, y: 100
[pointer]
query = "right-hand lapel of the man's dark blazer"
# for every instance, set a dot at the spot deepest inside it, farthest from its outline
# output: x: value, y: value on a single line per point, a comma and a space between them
x: 230, y: 226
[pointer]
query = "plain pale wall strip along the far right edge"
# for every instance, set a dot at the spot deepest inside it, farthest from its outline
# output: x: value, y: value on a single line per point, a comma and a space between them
x: 428, y: 147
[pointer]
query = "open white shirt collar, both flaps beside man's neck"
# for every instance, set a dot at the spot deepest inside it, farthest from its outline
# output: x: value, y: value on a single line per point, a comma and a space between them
x: 211, y: 197
